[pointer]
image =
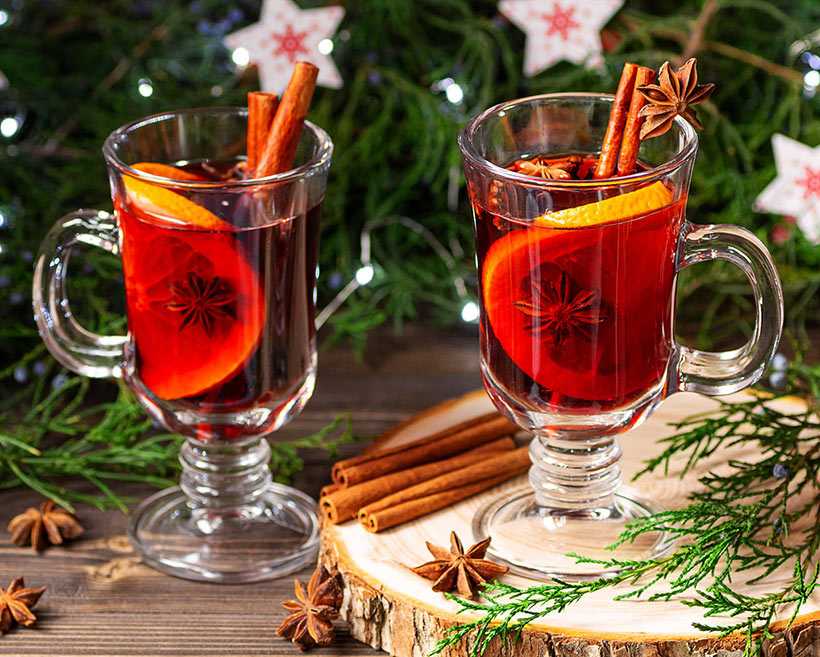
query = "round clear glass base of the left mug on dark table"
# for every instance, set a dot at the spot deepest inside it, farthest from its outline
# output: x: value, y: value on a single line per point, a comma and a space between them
x: 276, y: 535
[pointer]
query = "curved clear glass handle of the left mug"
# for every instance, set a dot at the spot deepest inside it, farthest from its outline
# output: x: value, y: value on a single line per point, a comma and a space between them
x: 78, y: 349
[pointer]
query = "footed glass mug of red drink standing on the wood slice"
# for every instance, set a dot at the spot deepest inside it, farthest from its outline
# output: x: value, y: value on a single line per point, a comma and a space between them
x: 577, y: 318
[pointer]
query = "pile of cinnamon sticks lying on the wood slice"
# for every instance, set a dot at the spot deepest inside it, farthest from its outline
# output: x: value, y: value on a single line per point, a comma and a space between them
x: 386, y: 488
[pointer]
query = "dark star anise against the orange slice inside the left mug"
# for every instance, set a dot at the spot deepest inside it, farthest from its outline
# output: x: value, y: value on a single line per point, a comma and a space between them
x: 201, y: 301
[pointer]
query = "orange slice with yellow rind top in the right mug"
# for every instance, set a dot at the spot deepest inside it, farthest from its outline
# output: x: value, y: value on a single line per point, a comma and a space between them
x: 608, y: 257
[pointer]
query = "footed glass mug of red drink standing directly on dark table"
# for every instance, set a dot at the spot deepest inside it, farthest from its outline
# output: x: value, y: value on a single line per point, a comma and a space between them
x: 220, y: 282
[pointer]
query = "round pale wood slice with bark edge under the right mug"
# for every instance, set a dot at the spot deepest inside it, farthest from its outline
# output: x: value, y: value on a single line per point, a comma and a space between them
x: 389, y: 607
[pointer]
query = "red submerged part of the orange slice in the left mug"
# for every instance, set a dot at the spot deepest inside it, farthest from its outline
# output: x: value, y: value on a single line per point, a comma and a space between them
x: 178, y: 359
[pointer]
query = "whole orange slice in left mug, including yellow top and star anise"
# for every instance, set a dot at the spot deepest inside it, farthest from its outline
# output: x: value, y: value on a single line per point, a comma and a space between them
x: 196, y: 307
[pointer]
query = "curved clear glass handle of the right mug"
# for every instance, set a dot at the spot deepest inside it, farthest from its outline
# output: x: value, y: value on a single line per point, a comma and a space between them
x: 725, y: 372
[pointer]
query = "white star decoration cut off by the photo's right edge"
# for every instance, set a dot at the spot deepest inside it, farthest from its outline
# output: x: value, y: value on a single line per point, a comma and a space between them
x: 795, y: 192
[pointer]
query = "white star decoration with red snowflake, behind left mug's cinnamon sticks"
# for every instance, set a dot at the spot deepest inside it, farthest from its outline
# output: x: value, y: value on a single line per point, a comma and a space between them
x: 286, y: 34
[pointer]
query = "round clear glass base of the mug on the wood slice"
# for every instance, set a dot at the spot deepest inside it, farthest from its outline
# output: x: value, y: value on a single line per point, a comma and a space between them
x: 534, y: 540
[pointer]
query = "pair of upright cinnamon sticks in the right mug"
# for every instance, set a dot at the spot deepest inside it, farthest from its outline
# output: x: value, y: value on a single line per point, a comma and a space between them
x: 622, y: 139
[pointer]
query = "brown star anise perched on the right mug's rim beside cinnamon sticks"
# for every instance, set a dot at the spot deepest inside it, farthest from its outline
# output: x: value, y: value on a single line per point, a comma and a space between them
x: 673, y: 96
